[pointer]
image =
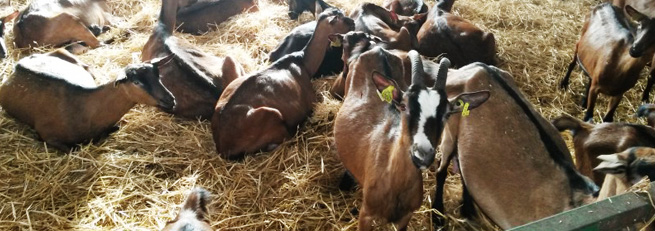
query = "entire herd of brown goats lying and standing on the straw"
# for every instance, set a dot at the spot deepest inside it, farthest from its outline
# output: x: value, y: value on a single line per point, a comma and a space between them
x: 397, y: 106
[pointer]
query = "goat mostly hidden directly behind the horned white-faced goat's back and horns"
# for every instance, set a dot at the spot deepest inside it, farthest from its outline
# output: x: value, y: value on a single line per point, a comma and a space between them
x: 355, y: 43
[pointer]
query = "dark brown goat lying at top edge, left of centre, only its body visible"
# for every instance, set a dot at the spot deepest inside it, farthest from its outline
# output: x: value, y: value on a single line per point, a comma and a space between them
x: 202, y: 16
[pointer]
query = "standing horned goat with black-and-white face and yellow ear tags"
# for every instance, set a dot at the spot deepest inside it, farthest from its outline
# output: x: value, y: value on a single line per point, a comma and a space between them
x: 373, y: 137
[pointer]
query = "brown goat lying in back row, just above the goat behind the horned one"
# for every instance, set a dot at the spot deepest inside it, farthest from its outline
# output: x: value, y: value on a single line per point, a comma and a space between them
x: 375, y: 20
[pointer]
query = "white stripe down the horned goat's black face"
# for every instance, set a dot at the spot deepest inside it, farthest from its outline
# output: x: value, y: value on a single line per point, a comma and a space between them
x: 429, y: 101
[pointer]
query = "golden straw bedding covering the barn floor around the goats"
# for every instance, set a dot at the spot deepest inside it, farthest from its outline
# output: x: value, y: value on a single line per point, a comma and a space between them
x: 136, y: 178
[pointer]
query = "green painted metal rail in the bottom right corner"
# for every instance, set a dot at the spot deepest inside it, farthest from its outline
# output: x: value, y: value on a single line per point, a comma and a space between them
x: 614, y: 213
